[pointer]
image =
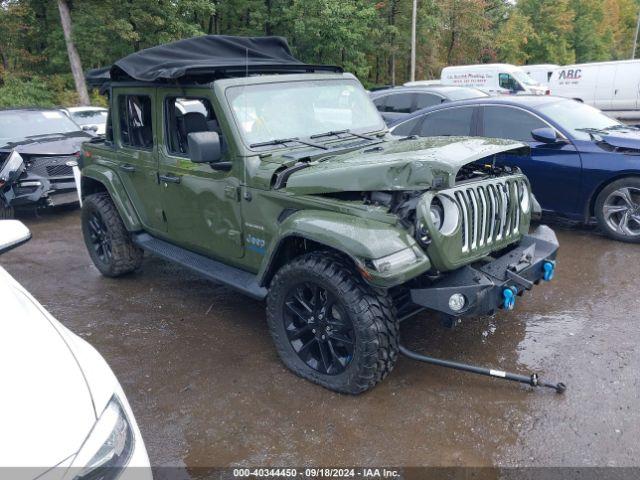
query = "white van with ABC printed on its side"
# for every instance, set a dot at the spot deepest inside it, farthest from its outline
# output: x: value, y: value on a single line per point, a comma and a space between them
x: 609, y: 86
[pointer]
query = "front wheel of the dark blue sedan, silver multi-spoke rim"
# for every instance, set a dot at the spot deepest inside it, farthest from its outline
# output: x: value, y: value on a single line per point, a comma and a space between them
x: 617, y: 210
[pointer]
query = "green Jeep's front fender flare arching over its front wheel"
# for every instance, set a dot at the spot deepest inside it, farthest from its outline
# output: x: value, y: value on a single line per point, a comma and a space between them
x: 358, y: 238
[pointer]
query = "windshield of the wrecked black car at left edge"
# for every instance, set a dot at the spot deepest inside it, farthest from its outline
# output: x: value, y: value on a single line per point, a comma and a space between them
x: 16, y: 125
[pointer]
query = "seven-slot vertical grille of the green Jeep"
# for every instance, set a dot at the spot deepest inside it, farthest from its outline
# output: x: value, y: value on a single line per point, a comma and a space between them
x: 490, y: 212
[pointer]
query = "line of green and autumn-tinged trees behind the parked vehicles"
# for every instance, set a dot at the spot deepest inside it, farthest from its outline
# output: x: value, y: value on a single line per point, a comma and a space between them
x: 369, y: 38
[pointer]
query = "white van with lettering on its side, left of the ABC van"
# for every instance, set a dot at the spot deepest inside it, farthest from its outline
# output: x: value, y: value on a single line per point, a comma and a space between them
x: 493, y: 78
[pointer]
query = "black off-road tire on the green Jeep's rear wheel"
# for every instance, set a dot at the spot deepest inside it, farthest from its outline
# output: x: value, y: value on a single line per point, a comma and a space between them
x: 126, y: 257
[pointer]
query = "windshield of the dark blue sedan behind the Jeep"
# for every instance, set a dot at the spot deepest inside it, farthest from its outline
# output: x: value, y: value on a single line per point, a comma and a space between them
x: 574, y: 116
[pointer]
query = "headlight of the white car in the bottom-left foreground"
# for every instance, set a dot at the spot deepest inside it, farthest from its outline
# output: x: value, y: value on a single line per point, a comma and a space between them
x: 108, y: 448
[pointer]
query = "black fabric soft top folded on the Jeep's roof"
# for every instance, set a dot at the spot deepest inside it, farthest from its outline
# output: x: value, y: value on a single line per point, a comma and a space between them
x: 205, y: 58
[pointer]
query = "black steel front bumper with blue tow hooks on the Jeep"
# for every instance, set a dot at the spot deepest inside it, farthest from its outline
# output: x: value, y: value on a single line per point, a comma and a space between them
x: 483, y: 286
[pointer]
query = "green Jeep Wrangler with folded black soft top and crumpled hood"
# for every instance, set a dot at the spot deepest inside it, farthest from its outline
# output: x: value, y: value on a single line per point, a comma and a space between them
x: 279, y: 179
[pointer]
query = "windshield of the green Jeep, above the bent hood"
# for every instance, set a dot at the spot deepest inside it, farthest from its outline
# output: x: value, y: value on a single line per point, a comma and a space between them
x: 271, y: 111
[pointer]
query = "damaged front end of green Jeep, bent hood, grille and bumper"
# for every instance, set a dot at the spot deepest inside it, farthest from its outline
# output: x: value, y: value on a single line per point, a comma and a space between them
x: 465, y: 222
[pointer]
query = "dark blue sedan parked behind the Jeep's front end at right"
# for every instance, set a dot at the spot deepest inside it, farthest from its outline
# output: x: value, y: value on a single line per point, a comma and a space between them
x: 583, y: 164
